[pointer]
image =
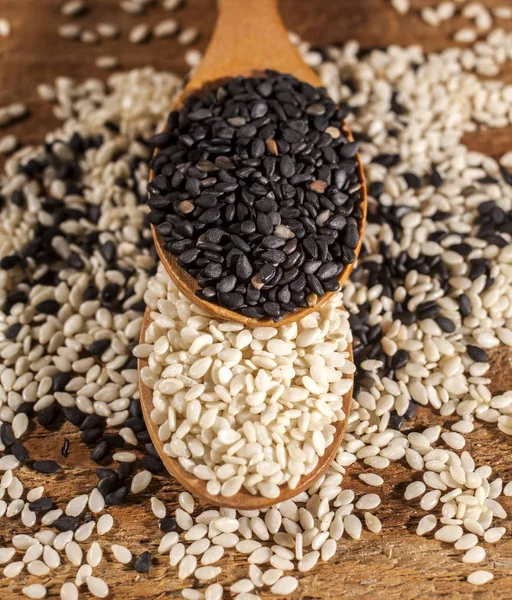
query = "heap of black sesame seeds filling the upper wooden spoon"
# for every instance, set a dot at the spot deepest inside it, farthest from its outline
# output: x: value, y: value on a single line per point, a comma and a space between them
x: 256, y: 190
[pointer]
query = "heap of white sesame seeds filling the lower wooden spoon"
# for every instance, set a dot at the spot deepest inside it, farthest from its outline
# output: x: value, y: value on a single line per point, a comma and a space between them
x: 241, y: 407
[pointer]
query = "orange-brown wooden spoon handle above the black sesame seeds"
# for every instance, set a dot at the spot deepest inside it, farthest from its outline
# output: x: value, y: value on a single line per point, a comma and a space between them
x: 249, y: 37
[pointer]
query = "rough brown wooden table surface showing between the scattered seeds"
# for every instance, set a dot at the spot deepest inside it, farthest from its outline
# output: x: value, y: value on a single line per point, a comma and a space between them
x: 395, y: 564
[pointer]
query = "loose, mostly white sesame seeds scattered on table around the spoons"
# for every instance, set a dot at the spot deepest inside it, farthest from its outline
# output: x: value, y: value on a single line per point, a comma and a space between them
x: 431, y: 296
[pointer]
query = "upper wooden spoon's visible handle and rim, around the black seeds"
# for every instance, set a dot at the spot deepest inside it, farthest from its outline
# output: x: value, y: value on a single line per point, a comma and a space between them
x: 249, y: 37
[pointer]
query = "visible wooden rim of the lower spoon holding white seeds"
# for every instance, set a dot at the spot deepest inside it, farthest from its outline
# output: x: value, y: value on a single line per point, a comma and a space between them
x: 242, y: 500
